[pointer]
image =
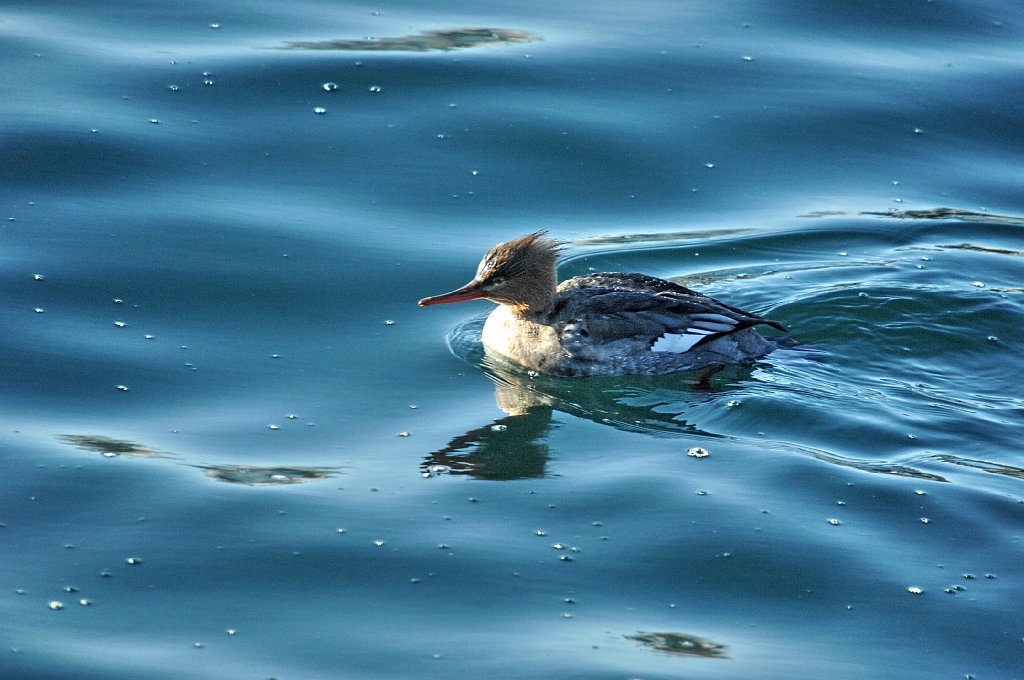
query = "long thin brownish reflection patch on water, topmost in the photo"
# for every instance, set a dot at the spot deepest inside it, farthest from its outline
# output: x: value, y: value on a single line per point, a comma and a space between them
x: 425, y: 41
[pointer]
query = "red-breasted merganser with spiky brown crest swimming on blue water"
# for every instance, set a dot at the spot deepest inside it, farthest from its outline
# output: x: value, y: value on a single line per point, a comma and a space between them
x: 602, y: 324
